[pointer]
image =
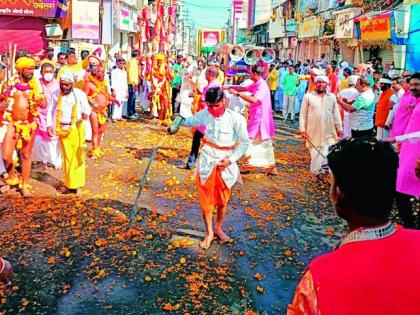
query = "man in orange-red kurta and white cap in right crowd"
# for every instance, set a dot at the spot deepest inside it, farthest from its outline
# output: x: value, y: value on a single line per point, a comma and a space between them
x: 383, y: 107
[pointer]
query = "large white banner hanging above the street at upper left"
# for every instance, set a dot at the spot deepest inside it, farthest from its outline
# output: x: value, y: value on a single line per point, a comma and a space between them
x: 85, y: 20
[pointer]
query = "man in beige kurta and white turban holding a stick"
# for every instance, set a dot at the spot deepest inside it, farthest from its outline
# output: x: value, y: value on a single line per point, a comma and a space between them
x: 320, y: 124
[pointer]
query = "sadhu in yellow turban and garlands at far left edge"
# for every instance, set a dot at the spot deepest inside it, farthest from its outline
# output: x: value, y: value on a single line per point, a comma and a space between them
x: 20, y: 99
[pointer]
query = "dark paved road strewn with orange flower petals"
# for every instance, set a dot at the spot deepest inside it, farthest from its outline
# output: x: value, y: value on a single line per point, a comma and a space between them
x: 77, y: 256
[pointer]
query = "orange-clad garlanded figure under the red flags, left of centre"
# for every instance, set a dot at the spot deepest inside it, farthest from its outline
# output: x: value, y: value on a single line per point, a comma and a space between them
x: 160, y: 95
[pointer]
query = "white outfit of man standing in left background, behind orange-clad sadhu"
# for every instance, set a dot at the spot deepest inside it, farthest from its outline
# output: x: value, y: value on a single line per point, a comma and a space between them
x: 119, y: 85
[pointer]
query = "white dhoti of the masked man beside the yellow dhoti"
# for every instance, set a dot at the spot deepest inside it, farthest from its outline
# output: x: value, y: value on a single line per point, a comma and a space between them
x: 46, y: 150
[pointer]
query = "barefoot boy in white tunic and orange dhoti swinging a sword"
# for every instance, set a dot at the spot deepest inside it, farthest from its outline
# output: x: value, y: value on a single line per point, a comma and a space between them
x: 226, y: 141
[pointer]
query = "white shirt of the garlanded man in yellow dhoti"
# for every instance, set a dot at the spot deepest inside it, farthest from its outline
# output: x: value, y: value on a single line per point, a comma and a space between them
x: 67, y: 105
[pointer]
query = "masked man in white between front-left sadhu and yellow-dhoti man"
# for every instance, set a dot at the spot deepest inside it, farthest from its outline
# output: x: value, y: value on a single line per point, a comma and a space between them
x: 46, y: 148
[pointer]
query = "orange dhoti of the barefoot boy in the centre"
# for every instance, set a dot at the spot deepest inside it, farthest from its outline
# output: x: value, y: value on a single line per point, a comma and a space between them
x: 213, y: 193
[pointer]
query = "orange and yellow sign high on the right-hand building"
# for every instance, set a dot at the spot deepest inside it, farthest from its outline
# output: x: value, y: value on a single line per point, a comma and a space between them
x: 376, y: 27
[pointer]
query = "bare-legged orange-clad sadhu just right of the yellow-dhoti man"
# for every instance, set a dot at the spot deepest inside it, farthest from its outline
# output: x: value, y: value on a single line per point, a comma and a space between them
x: 97, y: 91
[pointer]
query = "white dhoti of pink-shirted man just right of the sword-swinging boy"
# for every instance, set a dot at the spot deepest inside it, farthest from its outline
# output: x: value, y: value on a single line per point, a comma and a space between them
x: 260, y: 154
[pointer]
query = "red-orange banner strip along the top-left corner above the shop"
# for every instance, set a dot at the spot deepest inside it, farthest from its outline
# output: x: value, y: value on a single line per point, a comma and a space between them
x: 41, y: 8
